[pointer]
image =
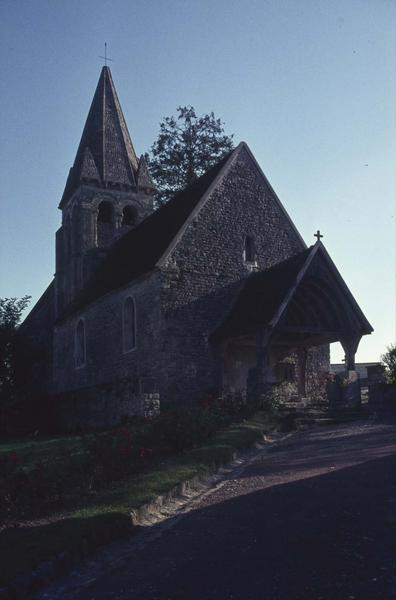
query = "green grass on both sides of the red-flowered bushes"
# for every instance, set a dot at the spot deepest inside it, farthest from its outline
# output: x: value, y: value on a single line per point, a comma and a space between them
x: 105, y: 515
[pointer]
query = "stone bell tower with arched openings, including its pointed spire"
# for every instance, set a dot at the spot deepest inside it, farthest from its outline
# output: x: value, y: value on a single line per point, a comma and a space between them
x: 108, y: 191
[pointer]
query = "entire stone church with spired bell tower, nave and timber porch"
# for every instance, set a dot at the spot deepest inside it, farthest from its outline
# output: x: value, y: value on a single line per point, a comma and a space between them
x: 213, y: 293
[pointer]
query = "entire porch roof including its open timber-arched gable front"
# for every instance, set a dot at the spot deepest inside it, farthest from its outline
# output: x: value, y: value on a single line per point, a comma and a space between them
x: 300, y: 301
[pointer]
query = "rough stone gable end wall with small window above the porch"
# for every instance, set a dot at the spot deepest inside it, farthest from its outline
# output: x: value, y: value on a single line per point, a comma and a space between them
x: 206, y: 269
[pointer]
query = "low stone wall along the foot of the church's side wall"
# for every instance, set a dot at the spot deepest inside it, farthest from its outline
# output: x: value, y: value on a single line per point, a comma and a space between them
x: 105, y: 405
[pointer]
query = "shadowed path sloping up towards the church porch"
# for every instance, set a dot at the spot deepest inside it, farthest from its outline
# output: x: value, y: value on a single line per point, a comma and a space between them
x: 312, y: 517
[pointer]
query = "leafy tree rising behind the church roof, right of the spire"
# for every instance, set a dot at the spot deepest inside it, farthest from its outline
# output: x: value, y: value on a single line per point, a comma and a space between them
x: 186, y: 147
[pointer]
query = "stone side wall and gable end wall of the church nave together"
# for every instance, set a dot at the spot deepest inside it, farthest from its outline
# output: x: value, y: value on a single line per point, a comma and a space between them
x: 177, y: 307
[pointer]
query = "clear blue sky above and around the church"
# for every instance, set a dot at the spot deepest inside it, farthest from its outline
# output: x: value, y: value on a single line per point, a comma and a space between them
x: 308, y: 84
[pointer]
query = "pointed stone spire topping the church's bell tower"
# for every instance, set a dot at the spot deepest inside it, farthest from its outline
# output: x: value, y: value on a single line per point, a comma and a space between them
x: 105, y: 155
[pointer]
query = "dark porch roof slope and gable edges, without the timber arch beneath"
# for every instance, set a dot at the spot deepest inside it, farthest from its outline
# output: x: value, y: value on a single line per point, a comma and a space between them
x: 267, y: 295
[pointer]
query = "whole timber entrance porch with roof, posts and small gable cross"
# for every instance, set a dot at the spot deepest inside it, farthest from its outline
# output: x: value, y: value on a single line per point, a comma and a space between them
x: 283, y: 317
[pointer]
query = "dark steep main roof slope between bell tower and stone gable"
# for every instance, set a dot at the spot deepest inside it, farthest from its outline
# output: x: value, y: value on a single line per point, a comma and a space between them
x: 139, y: 250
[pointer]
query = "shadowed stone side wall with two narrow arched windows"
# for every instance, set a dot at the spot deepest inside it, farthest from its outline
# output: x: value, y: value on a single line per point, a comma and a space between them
x: 107, y: 364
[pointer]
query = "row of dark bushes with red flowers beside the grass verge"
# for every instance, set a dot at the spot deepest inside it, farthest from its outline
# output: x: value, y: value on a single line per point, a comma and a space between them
x: 112, y: 455
